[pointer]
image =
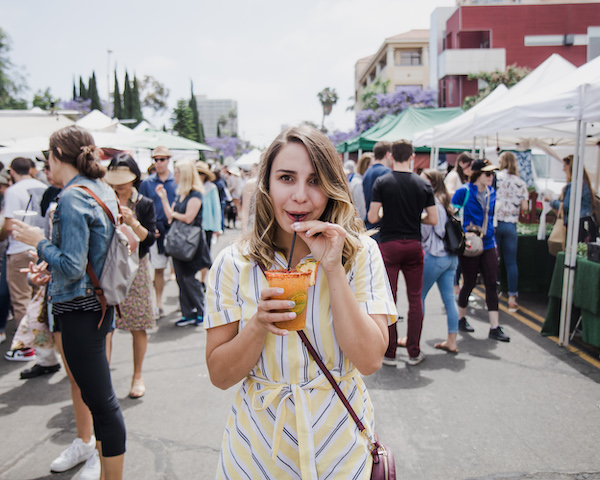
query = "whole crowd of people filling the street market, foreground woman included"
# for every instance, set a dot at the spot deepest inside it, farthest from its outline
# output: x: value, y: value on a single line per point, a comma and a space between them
x: 300, y: 204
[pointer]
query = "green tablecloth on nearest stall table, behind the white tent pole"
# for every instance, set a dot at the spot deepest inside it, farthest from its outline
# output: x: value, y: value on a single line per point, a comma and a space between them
x: 586, y: 299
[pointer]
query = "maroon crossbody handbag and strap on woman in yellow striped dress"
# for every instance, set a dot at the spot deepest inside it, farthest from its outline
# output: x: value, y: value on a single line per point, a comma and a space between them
x: 384, y: 466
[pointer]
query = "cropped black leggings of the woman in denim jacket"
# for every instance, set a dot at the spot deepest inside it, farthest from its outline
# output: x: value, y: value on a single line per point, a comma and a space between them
x: 85, y: 350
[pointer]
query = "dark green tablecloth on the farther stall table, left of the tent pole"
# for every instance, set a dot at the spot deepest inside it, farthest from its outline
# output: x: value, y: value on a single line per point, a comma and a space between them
x: 535, y: 266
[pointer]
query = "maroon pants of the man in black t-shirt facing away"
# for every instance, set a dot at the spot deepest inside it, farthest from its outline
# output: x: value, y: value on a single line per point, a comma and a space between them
x: 406, y: 255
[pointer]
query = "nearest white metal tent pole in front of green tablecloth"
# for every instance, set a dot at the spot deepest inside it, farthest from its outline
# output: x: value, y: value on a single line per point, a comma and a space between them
x: 572, y: 235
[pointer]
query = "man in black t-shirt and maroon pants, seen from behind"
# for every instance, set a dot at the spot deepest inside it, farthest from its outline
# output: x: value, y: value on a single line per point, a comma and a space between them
x: 407, y: 201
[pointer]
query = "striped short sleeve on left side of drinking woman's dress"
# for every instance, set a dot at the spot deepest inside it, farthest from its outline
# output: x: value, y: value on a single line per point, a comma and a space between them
x: 223, y: 304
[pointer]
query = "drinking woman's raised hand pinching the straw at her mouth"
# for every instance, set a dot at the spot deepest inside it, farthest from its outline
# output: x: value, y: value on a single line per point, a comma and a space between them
x: 325, y: 240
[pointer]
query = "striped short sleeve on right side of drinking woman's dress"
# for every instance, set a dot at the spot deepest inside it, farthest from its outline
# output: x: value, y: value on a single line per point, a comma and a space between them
x: 371, y: 284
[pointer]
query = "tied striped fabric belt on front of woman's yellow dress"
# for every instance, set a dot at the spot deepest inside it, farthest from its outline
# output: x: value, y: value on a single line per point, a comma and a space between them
x: 269, y: 391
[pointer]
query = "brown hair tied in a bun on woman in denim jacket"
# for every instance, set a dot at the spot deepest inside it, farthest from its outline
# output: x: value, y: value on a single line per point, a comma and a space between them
x: 75, y: 145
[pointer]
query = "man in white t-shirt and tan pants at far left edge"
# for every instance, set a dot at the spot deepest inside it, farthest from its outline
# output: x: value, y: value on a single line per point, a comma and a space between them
x: 24, y: 195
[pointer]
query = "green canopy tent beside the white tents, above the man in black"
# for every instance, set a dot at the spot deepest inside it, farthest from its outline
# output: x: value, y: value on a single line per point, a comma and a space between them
x: 402, y: 126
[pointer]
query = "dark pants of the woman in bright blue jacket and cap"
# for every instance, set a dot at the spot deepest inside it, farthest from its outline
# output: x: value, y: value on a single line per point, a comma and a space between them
x: 487, y: 265
